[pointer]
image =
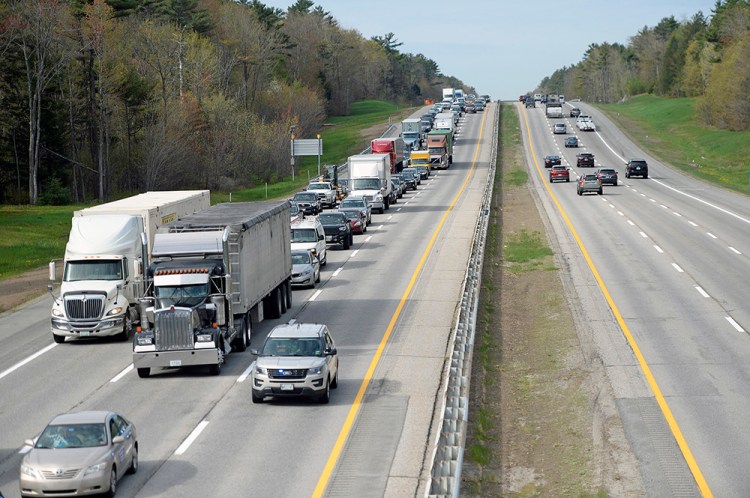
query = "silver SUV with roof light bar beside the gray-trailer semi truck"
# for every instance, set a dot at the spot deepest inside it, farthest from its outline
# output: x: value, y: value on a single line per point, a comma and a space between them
x: 296, y: 360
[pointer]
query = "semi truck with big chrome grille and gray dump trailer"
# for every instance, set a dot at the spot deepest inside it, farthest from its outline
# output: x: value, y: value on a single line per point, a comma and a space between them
x: 214, y: 274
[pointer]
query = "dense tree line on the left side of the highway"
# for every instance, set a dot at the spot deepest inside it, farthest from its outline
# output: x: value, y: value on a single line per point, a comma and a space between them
x: 104, y: 97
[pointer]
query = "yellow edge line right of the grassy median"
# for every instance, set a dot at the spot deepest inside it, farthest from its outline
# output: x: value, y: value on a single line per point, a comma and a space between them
x: 686, y: 453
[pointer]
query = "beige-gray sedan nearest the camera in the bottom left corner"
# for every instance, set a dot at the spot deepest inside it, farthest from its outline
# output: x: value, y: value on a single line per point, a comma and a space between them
x: 77, y: 454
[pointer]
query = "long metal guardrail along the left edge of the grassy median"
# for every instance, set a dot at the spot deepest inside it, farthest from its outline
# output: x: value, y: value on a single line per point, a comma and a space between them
x: 445, y: 474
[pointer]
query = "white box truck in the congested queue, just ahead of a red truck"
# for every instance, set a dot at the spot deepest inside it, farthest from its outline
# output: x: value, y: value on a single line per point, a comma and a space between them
x: 370, y: 177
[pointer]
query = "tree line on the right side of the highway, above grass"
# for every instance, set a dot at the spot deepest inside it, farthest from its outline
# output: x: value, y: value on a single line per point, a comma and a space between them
x: 703, y: 57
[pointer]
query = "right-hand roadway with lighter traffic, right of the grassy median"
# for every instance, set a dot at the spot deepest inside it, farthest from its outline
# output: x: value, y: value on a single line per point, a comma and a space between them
x: 659, y: 272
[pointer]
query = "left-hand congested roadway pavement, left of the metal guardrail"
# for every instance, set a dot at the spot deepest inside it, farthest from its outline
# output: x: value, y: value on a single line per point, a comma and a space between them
x: 389, y: 301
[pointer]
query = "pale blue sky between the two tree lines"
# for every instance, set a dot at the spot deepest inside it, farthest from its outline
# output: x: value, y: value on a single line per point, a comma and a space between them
x: 504, y: 48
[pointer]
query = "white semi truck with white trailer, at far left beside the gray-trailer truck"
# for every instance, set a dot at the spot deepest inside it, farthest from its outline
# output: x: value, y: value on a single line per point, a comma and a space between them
x: 104, y: 267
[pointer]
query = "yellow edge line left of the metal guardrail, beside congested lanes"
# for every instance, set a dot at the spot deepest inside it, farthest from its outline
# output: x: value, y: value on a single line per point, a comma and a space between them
x: 354, y: 410
